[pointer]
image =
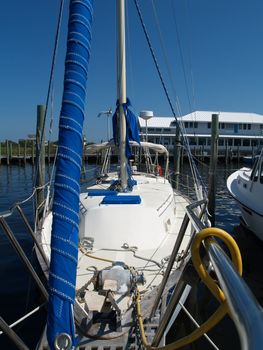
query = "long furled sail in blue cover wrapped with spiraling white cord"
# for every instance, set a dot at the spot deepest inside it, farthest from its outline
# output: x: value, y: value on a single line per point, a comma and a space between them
x: 64, y: 237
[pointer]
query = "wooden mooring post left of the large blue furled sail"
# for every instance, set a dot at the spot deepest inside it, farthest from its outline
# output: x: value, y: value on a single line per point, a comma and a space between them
x: 40, y: 157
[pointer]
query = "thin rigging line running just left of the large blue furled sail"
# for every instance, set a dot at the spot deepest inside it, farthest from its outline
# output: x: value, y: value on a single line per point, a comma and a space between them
x: 51, y: 79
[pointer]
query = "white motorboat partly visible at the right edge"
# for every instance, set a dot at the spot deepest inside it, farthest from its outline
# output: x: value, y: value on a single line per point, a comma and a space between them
x: 246, y: 187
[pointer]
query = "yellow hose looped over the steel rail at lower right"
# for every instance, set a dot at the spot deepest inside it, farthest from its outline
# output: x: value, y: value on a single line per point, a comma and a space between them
x: 206, y: 235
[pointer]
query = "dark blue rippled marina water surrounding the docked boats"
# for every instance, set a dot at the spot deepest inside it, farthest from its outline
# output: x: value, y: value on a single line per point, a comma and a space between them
x: 18, y: 293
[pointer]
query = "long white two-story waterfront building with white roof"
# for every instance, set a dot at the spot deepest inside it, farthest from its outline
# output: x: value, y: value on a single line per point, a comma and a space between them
x: 237, y: 131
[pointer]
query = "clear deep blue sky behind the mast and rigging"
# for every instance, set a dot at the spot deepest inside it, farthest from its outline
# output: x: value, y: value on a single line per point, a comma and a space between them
x: 210, y: 53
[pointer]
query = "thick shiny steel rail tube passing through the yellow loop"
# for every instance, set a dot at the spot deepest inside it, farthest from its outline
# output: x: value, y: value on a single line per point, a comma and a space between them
x: 245, y: 310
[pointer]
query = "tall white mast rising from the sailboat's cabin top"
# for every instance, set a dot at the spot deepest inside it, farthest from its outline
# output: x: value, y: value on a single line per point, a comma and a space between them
x: 121, y: 59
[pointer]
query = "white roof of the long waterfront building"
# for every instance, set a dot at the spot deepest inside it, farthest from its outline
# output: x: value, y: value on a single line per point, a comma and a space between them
x: 205, y: 116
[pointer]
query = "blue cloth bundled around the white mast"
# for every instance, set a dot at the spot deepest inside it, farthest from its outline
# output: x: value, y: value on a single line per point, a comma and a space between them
x: 132, y: 132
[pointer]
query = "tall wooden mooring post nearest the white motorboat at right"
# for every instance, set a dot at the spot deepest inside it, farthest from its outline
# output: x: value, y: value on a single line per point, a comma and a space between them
x: 212, y: 170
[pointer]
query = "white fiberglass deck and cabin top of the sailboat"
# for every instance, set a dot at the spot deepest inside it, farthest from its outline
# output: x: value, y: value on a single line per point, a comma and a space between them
x: 140, y: 235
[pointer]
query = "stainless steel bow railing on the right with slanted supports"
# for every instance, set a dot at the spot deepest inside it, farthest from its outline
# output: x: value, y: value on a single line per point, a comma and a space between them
x: 246, y: 313
